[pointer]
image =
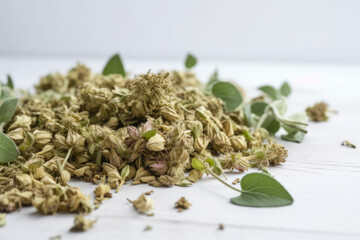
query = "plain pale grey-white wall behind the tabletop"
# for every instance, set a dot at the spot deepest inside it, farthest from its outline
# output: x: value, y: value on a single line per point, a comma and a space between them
x: 256, y: 30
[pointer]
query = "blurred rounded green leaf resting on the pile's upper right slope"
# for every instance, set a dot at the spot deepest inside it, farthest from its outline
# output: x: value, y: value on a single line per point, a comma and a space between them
x: 230, y: 95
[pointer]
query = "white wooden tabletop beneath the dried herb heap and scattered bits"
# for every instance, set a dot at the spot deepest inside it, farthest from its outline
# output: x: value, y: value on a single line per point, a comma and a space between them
x: 322, y: 176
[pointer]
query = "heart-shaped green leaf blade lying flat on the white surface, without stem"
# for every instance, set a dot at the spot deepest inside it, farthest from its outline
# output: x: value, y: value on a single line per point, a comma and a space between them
x: 261, y: 190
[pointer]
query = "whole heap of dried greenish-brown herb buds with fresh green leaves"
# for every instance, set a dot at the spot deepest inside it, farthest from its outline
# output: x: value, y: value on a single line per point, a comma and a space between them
x: 162, y: 129
